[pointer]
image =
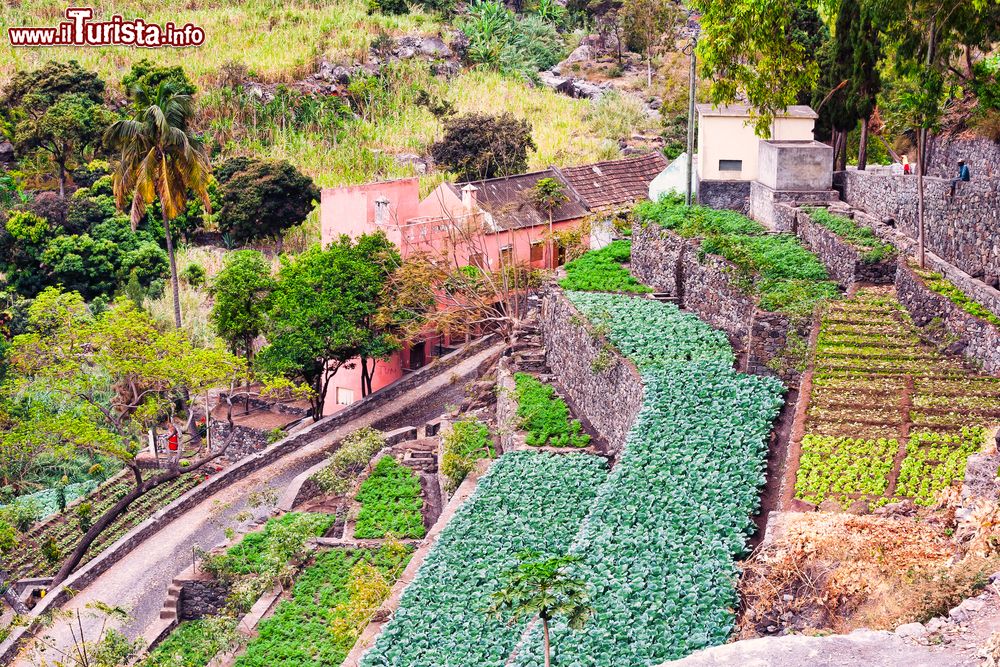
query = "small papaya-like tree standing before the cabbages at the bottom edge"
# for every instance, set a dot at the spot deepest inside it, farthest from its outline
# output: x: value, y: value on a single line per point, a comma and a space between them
x: 543, y: 588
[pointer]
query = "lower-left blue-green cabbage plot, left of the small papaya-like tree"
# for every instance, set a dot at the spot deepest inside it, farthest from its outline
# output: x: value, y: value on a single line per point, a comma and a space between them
x: 528, y: 500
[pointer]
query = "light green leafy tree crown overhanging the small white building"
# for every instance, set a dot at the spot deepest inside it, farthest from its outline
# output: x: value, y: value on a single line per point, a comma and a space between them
x: 752, y: 50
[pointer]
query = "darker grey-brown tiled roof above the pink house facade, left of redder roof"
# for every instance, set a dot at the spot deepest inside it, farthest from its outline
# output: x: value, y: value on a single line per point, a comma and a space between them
x: 508, y: 201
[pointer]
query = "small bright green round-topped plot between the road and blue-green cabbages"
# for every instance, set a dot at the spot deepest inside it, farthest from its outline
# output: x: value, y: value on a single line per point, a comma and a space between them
x: 390, y: 503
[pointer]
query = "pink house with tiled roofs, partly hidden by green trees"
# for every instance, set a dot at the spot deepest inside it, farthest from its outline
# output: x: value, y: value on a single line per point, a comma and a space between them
x: 481, y: 223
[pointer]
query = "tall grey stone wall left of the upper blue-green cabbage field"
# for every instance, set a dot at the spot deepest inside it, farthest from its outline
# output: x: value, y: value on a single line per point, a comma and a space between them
x: 609, y: 398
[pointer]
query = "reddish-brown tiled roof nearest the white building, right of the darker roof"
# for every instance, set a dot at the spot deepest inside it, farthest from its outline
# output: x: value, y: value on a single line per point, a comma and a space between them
x: 615, y: 183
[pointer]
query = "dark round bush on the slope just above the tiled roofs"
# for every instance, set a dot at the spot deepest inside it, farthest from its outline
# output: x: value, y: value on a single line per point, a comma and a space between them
x: 478, y: 146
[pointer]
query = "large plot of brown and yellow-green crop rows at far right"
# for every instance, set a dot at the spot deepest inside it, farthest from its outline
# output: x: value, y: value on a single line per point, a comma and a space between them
x: 876, y: 386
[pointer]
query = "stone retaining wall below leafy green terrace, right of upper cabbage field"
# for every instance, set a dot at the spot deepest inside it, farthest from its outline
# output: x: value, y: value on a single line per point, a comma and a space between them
x: 713, y: 288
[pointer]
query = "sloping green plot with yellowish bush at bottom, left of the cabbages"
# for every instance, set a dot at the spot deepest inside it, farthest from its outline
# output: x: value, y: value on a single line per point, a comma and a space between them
x: 308, y: 629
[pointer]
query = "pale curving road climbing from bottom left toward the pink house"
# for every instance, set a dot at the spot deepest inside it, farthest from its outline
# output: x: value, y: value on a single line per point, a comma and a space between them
x: 139, y: 581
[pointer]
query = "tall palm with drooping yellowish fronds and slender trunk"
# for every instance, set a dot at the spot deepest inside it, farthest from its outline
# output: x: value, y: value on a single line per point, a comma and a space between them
x: 160, y: 159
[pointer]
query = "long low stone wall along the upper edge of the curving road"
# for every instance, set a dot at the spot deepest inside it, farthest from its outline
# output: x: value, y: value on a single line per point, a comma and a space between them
x: 100, y: 564
